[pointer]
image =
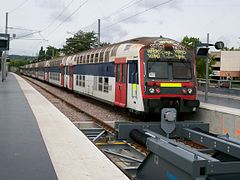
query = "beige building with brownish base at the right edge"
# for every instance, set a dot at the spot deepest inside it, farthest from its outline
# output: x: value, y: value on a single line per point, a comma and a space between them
x: 227, y: 65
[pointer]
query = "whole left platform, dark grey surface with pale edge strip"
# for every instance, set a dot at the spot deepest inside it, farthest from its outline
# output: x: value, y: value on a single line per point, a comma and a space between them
x: 38, y: 142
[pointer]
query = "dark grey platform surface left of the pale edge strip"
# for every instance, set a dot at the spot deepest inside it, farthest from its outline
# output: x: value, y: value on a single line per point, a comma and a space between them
x: 23, y: 154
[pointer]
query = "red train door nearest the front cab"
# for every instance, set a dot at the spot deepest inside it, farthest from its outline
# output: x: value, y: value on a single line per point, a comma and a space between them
x: 120, y: 82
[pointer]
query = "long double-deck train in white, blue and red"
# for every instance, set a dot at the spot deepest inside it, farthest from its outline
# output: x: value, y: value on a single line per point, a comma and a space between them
x: 143, y: 75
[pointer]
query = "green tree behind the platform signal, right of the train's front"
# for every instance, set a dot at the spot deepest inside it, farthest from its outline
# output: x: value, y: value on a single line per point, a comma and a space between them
x: 193, y: 42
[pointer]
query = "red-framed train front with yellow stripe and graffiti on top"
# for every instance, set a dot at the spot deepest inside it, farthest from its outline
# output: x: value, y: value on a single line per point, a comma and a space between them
x: 169, y: 78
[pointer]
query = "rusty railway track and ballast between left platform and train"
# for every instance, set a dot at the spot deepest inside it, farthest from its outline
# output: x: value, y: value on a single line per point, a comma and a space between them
x: 100, y: 131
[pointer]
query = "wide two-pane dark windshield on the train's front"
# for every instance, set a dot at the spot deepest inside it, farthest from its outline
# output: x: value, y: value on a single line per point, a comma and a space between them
x: 169, y: 70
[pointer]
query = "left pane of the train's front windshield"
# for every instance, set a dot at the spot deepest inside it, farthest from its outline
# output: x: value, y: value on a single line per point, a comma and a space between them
x: 158, y: 70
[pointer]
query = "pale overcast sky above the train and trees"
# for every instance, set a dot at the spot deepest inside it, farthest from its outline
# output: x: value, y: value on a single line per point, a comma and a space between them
x: 50, y: 22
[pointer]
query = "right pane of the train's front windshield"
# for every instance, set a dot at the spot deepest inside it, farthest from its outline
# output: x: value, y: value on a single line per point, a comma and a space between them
x: 182, y: 70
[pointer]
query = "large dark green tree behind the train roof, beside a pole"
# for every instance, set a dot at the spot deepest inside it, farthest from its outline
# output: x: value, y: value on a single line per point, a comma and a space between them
x: 81, y: 41
